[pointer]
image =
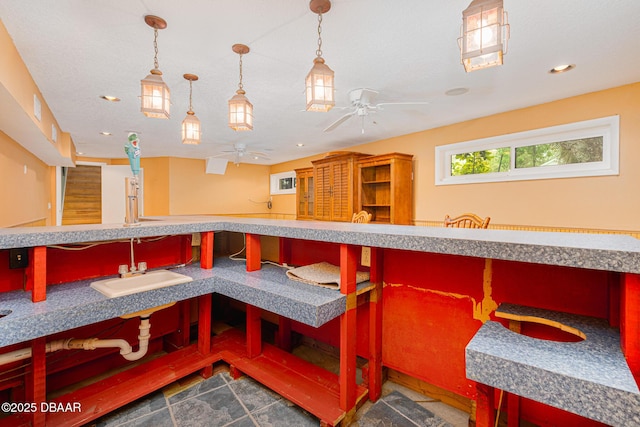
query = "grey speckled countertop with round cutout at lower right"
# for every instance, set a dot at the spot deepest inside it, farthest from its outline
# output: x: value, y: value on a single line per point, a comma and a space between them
x: 590, y: 378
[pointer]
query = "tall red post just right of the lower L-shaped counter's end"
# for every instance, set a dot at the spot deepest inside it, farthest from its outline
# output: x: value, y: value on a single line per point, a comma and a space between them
x: 375, y: 326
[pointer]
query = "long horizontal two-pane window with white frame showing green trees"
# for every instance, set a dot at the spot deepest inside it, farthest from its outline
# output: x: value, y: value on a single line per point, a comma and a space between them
x: 588, y: 148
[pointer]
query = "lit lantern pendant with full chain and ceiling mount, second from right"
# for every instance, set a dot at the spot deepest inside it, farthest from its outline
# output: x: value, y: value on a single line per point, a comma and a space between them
x: 319, y: 81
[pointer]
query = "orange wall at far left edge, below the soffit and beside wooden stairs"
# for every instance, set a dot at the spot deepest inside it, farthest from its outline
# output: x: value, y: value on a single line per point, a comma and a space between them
x: 25, y: 196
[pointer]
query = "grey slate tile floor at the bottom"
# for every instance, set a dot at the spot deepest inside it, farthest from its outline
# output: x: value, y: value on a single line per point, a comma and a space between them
x: 221, y: 401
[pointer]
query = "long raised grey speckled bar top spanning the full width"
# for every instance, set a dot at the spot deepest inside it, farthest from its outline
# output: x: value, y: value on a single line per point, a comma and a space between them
x: 594, y: 251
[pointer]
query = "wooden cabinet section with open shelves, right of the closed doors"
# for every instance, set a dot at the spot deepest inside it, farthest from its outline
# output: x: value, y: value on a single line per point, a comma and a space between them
x: 386, y: 188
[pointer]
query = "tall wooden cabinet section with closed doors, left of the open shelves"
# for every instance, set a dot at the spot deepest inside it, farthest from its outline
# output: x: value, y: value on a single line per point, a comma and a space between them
x: 335, y: 186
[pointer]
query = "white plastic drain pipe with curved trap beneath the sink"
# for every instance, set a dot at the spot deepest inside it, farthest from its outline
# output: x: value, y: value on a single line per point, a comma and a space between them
x: 126, y: 350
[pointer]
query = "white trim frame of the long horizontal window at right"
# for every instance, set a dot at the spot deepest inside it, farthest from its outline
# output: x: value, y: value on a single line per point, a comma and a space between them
x: 607, y: 127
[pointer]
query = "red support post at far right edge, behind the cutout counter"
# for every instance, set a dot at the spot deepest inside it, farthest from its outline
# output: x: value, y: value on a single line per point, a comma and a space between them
x: 630, y: 321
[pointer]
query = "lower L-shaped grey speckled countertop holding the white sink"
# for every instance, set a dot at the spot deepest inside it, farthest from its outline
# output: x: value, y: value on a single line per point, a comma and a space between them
x: 76, y: 304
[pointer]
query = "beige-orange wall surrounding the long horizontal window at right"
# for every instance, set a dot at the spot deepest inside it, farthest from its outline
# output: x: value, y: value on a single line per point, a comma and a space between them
x: 595, y: 202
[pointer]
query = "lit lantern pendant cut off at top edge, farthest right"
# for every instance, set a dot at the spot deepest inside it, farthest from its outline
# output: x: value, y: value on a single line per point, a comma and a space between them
x: 485, y: 33
